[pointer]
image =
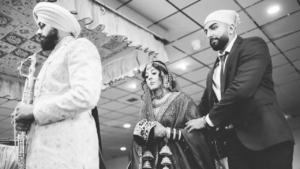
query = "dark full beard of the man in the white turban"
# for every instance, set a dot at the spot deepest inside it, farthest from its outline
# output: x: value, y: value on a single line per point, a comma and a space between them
x: 49, y: 41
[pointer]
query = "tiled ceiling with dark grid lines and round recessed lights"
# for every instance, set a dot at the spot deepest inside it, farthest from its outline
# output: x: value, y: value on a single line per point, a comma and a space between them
x: 179, y: 23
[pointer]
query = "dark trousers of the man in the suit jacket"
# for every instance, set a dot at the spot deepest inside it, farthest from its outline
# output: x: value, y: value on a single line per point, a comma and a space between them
x: 279, y: 156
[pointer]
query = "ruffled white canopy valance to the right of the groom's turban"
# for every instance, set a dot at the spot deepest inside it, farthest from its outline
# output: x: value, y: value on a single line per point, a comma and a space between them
x: 111, y: 24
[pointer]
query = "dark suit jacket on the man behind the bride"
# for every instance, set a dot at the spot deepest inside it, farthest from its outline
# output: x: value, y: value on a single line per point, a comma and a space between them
x: 248, y: 100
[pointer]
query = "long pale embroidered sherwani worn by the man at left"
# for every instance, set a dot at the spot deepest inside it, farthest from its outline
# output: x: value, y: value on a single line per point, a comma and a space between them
x: 68, y: 86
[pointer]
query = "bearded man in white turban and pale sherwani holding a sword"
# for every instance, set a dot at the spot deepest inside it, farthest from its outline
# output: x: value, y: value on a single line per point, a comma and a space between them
x: 63, y: 133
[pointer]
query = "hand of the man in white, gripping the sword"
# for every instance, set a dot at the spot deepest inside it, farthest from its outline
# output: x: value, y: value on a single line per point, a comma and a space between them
x: 23, y: 112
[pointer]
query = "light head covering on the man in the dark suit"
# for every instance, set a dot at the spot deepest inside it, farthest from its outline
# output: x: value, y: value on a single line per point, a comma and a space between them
x: 229, y: 17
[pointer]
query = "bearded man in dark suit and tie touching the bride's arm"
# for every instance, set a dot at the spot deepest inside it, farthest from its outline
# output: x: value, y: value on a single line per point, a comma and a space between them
x: 240, y: 92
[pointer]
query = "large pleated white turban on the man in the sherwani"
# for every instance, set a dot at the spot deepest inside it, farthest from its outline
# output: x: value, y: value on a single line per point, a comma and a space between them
x: 57, y: 17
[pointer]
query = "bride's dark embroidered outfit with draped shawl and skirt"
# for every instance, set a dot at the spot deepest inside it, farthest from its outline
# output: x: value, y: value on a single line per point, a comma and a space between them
x: 186, y: 150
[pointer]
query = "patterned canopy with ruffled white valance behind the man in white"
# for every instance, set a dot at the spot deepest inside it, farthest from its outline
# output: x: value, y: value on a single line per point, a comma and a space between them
x: 118, y: 41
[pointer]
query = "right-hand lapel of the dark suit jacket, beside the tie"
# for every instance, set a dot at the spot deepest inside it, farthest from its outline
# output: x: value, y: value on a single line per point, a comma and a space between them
x: 236, y: 44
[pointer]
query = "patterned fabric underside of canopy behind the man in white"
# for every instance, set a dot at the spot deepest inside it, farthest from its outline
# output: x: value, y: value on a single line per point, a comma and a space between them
x: 18, y: 39
